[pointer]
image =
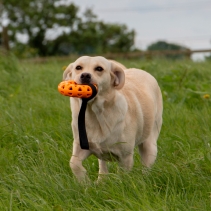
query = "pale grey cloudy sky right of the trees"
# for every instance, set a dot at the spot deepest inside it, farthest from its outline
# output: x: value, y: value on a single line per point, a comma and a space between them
x: 185, y: 22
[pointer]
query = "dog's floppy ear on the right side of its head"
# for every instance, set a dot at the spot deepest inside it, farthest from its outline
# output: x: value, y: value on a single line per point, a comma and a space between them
x: 117, y: 75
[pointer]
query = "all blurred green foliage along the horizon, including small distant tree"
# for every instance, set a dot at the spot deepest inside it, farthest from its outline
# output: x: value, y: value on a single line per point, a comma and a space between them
x: 54, y: 28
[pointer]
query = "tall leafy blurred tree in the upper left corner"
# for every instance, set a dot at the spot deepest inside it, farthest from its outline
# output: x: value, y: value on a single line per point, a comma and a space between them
x: 33, y: 18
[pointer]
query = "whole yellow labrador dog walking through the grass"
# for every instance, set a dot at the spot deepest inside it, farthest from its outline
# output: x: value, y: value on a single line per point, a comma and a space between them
x: 126, y: 112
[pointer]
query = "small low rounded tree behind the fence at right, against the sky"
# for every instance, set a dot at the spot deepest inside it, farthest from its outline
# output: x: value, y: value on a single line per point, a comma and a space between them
x: 164, y: 46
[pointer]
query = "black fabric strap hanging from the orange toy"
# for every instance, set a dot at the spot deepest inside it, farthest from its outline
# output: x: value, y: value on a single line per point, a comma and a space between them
x: 81, y: 119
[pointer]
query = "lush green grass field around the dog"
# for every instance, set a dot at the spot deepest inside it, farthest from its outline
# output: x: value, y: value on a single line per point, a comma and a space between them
x: 36, y: 143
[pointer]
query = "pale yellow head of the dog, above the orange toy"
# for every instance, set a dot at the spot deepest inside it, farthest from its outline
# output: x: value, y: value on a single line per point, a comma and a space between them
x: 96, y: 70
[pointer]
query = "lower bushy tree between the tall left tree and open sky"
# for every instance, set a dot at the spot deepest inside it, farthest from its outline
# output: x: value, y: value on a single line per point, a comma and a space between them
x: 93, y: 36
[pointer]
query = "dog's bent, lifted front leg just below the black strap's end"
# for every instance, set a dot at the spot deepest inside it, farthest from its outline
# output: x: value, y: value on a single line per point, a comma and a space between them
x: 78, y: 156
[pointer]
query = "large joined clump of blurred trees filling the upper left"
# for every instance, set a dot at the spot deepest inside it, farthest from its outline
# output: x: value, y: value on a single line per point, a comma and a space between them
x: 55, y: 28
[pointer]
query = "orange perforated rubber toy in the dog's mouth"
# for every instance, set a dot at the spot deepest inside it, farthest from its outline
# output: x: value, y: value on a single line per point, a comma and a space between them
x: 72, y: 89
